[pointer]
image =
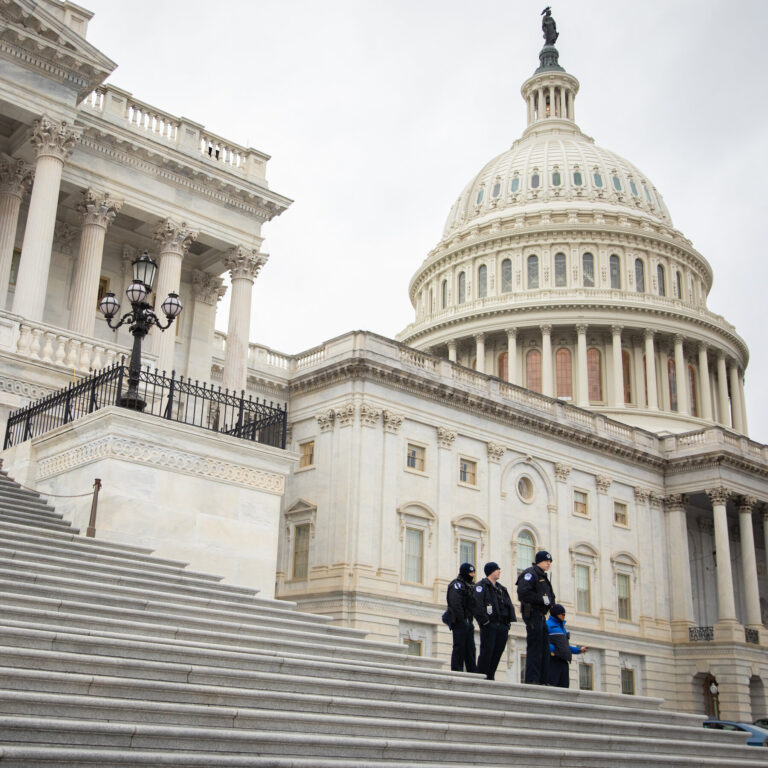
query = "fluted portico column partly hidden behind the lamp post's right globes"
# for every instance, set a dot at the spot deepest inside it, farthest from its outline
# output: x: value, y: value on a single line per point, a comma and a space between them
x: 173, y: 241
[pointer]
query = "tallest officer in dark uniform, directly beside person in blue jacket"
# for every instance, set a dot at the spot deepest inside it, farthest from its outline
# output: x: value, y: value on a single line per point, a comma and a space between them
x: 536, y: 597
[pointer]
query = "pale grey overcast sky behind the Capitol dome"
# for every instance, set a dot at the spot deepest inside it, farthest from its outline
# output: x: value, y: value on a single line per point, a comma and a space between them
x: 377, y: 113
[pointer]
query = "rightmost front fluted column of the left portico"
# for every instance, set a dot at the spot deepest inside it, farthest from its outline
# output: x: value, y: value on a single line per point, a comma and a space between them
x: 243, y: 265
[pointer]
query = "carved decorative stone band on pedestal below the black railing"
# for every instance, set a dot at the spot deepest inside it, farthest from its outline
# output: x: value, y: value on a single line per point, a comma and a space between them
x: 152, y: 454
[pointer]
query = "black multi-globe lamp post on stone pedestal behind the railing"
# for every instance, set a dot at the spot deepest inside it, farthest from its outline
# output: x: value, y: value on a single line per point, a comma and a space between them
x: 142, y: 317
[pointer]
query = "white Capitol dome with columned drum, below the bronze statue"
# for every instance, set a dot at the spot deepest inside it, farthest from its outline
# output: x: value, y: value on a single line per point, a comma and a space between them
x: 560, y: 272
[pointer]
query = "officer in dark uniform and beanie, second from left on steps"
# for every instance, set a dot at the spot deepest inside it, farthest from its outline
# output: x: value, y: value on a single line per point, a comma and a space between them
x: 494, y: 613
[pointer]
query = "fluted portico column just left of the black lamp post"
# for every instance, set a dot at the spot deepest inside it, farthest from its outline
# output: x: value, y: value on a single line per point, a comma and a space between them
x: 97, y: 211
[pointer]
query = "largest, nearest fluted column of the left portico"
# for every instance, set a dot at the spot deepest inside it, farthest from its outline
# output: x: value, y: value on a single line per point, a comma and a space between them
x: 53, y: 142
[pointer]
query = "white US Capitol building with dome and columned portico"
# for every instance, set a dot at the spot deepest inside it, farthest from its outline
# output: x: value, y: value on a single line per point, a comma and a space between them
x: 562, y: 386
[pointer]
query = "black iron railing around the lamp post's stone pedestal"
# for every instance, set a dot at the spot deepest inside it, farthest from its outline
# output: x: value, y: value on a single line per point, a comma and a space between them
x: 174, y: 399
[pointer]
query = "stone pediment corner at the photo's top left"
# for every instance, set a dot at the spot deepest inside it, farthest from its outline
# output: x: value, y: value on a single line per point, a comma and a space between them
x: 33, y: 37
